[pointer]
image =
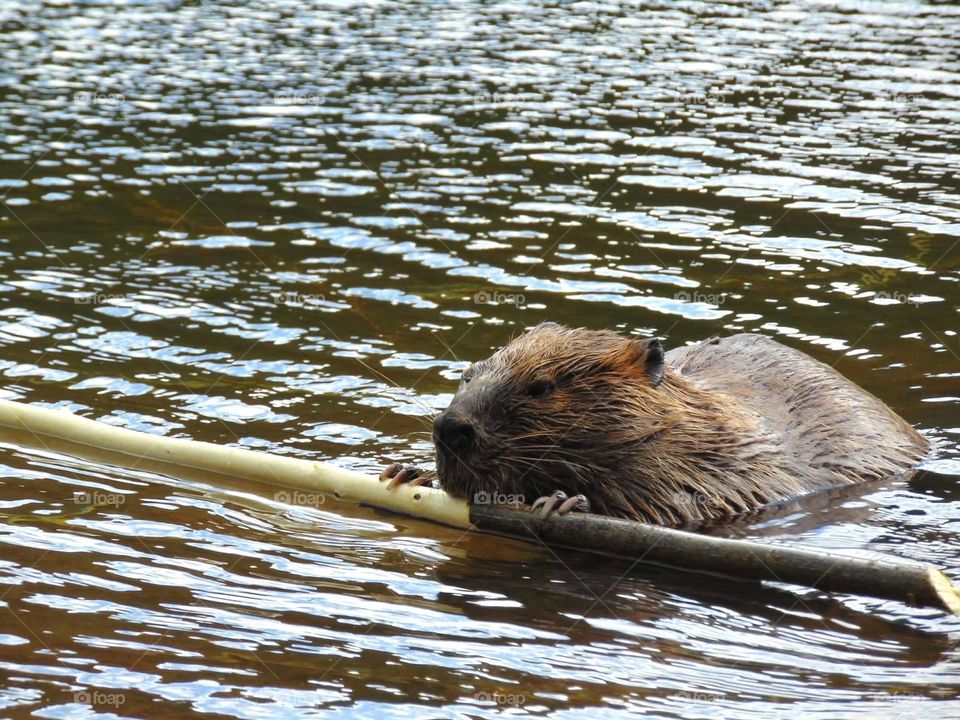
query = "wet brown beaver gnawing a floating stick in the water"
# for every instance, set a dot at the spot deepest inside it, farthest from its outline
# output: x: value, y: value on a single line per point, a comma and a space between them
x: 593, y: 420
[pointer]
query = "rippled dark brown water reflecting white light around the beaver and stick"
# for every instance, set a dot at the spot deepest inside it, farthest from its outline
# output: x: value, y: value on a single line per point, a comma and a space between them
x: 289, y: 225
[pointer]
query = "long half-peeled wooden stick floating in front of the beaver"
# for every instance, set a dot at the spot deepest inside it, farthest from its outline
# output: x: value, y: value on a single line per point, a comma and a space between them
x: 909, y: 582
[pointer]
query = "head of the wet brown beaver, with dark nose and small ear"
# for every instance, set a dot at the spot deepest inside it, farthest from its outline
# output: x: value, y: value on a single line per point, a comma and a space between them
x: 557, y: 408
